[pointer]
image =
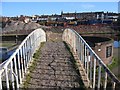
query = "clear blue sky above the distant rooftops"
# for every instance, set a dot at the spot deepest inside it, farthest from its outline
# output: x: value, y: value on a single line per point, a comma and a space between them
x: 40, y: 8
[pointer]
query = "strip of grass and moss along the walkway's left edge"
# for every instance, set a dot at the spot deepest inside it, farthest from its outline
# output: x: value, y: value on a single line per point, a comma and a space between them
x: 33, y: 65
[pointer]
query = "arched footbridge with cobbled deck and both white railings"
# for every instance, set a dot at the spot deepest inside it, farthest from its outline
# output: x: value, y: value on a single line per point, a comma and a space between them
x: 64, y: 64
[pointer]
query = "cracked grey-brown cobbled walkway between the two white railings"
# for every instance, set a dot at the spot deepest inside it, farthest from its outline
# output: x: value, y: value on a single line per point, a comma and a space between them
x: 54, y: 68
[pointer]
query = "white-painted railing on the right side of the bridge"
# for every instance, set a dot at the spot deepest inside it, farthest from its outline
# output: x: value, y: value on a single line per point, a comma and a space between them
x: 98, y: 74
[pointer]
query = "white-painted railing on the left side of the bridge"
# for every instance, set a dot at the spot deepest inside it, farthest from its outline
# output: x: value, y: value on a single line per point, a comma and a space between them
x: 12, y: 71
